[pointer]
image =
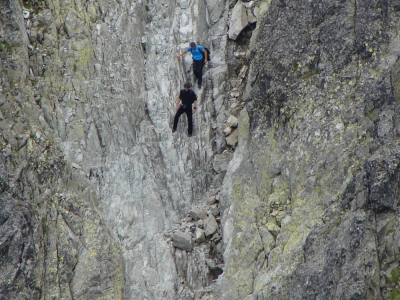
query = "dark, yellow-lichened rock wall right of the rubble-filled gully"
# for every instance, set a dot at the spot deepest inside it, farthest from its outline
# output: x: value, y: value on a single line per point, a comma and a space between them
x: 317, y: 164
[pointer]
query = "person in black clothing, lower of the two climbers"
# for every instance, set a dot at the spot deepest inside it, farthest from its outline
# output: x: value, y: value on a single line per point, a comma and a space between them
x: 186, y: 98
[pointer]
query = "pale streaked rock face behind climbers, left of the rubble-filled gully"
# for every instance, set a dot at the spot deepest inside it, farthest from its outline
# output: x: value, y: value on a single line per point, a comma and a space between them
x: 92, y: 173
